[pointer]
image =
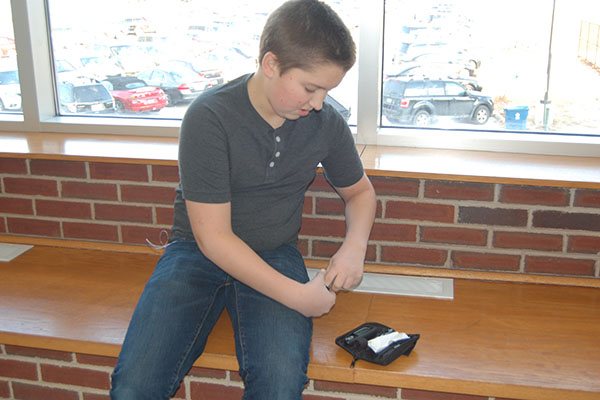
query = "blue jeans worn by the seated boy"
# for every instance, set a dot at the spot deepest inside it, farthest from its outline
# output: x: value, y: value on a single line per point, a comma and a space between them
x: 178, y: 309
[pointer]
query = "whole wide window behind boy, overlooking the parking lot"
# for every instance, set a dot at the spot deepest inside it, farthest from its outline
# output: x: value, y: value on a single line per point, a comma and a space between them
x: 512, y: 76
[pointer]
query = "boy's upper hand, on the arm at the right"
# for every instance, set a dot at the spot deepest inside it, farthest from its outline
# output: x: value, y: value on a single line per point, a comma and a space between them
x: 345, y: 268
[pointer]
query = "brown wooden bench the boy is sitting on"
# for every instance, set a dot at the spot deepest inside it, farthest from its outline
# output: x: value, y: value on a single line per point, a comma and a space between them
x: 494, y: 339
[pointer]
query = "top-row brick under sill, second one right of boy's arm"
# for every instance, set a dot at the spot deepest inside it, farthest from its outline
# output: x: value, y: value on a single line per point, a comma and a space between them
x: 459, y: 190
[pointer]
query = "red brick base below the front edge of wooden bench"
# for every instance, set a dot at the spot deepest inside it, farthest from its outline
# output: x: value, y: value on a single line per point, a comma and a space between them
x: 36, y: 374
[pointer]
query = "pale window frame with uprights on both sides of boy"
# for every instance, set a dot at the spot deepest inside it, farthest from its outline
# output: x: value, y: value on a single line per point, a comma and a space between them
x: 39, y: 115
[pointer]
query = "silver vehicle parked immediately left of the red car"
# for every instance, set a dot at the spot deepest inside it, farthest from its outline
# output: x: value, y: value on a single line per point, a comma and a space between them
x: 84, y: 96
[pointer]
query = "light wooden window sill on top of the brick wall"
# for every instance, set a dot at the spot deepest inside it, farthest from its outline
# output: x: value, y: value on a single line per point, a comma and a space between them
x: 466, y: 165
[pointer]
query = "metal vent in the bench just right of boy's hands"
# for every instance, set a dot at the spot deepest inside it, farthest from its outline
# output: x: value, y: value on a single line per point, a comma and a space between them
x: 440, y: 288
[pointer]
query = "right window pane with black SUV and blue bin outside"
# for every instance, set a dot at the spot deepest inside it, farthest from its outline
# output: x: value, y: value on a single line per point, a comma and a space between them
x: 520, y: 55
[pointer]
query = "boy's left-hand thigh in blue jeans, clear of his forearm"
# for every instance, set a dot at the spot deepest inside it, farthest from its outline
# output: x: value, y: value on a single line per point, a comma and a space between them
x: 176, y: 311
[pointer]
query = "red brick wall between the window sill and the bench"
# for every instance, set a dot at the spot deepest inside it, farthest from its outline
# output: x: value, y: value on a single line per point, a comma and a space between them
x: 420, y: 222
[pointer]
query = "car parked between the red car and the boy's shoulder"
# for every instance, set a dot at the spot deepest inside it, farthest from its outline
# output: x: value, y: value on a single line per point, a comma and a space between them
x: 179, y: 85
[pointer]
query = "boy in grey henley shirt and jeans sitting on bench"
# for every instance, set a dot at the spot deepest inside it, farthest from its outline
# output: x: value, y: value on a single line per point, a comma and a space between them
x: 248, y: 152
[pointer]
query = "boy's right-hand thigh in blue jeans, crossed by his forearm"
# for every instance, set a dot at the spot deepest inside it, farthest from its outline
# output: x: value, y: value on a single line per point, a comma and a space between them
x: 272, y: 340
